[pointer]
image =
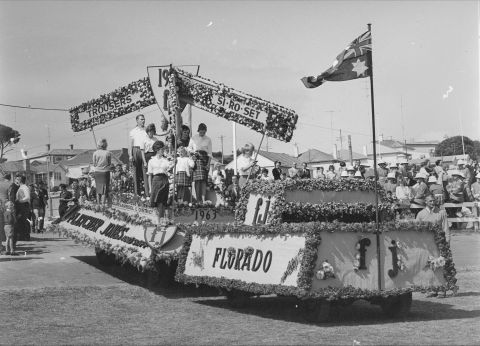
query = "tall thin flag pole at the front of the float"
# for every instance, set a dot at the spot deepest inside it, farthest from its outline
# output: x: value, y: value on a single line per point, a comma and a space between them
x: 377, y: 228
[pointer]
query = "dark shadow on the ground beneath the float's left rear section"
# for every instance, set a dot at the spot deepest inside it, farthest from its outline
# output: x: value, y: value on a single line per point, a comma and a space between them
x: 150, y: 280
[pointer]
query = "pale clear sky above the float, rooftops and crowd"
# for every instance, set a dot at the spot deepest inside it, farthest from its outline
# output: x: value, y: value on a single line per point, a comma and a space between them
x: 60, y: 54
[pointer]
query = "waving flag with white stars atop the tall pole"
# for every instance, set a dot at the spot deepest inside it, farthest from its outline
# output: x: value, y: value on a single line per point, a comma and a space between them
x: 351, y: 63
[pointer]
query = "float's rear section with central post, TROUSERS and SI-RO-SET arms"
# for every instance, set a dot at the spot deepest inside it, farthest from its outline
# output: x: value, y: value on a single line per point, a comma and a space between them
x: 126, y: 230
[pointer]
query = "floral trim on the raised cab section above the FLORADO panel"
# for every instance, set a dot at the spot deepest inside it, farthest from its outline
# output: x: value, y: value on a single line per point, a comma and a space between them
x: 281, y: 207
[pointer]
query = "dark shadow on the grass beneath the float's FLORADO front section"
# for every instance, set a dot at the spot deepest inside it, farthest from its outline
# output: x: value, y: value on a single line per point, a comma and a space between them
x: 359, y: 313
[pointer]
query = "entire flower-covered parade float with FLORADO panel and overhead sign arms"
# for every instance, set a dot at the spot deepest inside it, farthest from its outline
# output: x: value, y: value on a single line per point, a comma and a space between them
x: 324, y: 242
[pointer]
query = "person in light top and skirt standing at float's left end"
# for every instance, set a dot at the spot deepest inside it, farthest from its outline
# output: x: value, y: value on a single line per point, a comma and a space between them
x: 102, y: 161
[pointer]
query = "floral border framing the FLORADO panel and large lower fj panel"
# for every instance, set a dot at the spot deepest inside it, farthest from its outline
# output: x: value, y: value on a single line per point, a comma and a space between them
x: 312, y: 233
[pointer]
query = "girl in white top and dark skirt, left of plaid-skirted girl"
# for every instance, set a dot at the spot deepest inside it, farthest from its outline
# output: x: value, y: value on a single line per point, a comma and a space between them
x: 158, y: 168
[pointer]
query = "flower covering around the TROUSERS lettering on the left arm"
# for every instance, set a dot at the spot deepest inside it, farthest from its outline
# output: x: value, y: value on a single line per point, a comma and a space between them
x: 113, y: 103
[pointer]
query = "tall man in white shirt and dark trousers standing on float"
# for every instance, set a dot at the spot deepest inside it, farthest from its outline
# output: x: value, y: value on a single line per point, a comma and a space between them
x: 137, y: 140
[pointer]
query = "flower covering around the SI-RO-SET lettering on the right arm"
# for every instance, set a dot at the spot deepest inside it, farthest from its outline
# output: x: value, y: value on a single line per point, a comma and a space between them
x: 280, y: 122
